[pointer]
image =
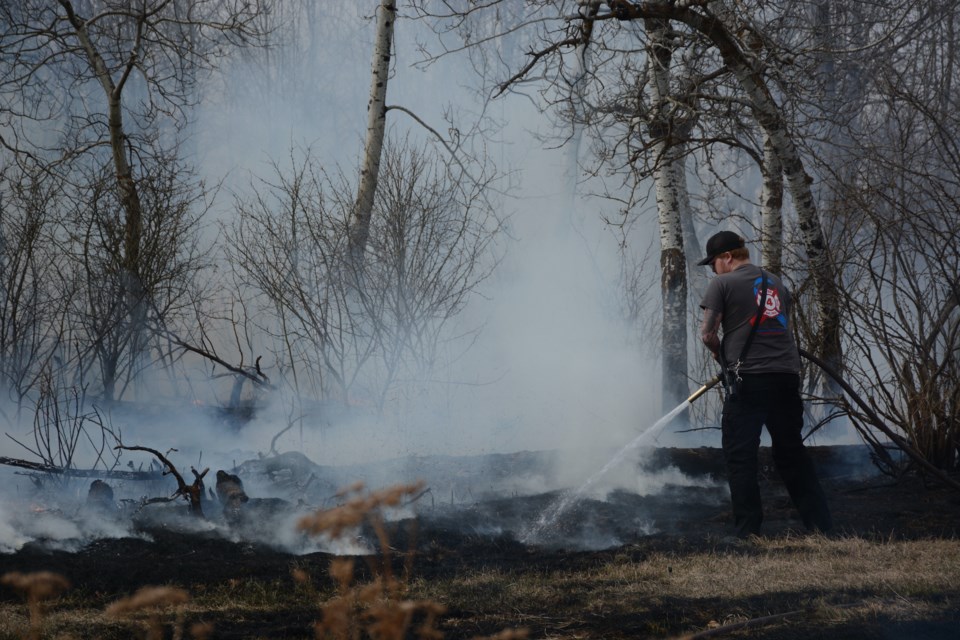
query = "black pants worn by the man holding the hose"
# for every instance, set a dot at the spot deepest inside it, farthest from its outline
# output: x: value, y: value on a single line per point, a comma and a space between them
x: 772, y: 400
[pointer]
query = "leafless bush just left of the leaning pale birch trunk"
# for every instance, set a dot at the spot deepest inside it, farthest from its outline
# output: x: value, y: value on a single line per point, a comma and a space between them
x: 289, y: 245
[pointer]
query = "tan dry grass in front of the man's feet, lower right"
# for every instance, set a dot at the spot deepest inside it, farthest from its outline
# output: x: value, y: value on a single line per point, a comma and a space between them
x: 664, y: 594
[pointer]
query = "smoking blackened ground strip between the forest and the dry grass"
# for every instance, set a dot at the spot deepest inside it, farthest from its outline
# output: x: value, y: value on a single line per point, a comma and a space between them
x: 510, y: 498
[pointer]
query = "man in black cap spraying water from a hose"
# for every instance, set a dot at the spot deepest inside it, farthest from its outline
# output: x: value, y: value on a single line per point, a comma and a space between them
x: 769, y: 384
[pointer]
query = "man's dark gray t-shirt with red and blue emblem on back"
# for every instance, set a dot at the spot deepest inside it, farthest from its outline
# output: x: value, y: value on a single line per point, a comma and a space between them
x: 736, y: 295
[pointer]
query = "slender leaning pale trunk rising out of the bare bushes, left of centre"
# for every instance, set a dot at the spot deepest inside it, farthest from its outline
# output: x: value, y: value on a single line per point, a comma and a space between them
x: 376, y: 129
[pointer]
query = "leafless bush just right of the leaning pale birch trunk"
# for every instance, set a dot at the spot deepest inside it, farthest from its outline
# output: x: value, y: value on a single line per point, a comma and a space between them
x: 433, y: 245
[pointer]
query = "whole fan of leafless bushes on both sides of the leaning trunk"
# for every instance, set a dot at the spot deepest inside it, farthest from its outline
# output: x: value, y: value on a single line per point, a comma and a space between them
x: 429, y: 248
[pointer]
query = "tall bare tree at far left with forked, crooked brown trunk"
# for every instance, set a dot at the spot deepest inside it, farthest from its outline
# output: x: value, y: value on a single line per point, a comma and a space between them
x: 116, y: 81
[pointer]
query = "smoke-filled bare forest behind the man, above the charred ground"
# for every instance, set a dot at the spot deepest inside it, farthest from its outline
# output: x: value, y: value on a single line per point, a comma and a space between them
x: 482, y: 241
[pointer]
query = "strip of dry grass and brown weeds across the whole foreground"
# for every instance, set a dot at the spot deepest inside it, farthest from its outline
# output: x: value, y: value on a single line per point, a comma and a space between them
x: 794, y: 587
